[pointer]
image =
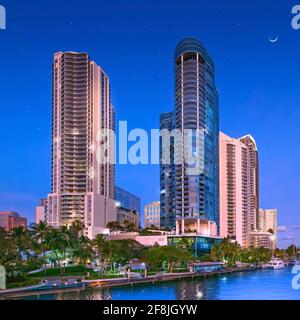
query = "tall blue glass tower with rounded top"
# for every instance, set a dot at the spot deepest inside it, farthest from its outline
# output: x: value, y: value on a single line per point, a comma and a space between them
x: 187, y: 197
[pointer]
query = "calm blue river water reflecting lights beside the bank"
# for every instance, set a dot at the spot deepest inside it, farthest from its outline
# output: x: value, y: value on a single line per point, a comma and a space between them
x: 260, y: 285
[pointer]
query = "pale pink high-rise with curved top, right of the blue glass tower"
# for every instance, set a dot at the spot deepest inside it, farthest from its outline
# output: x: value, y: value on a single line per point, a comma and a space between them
x: 239, y: 196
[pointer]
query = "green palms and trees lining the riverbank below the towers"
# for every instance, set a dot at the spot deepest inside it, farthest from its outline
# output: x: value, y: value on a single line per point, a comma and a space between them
x: 41, y: 251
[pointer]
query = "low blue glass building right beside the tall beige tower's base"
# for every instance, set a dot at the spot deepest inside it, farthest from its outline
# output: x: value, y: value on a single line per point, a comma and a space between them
x: 128, y: 206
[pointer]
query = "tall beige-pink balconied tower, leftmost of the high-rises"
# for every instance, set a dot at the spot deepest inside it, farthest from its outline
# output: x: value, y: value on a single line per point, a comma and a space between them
x: 82, y: 185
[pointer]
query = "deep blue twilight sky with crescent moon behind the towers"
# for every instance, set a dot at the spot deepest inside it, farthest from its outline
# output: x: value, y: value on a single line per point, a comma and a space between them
x: 134, y: 41
